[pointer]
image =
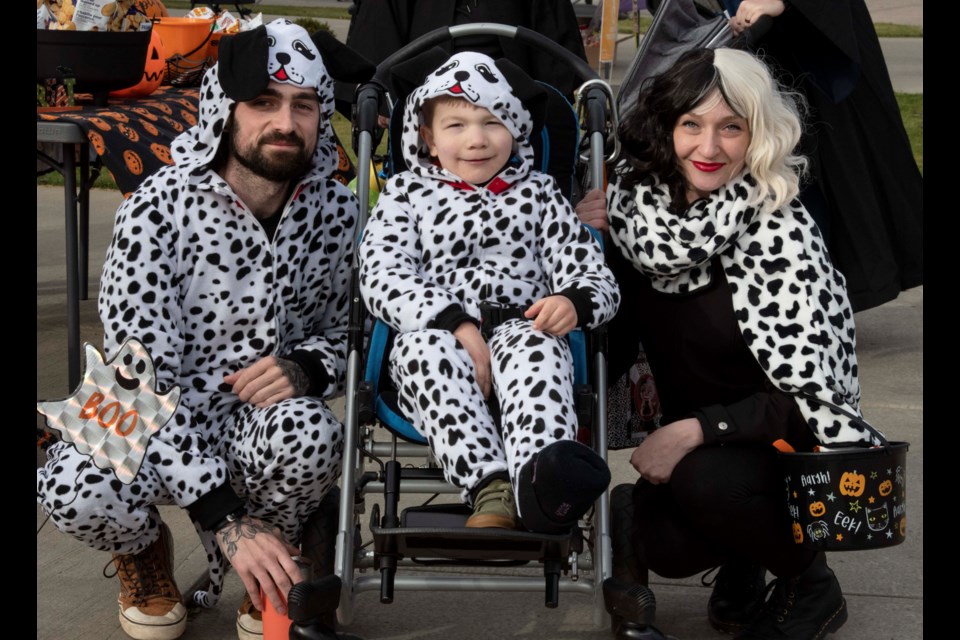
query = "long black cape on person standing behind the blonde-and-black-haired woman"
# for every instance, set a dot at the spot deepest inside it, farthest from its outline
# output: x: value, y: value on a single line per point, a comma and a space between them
x: 860, y: 152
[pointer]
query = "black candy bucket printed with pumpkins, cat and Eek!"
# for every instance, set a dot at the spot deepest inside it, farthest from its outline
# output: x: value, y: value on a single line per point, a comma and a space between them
x: 848, y: 499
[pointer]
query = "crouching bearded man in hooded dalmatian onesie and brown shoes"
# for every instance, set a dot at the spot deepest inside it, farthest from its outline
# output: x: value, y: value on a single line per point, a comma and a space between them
x: 232, y: 268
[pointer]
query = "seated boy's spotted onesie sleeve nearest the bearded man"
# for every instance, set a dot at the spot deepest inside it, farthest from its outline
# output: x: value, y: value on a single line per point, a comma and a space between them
x: 392, y: 280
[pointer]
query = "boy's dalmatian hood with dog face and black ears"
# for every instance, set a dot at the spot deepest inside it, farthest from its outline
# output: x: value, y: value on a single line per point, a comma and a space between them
x: 500, y: 87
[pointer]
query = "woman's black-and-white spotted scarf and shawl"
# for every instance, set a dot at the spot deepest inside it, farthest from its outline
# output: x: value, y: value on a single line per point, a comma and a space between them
x: 791, y: 304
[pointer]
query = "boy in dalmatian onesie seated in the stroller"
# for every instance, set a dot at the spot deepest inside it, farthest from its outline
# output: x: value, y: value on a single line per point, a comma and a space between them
x: 473, y: 227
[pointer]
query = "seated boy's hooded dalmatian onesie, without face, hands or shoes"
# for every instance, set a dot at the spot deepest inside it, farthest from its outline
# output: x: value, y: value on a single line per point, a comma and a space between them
x: 433, y: 242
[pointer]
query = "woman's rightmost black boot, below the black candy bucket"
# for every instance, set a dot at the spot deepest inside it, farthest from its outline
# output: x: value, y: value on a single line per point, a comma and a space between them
x: 805, y: 607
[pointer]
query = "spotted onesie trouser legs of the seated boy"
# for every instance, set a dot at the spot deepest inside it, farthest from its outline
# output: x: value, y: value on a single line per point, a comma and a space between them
x: 532, y: 377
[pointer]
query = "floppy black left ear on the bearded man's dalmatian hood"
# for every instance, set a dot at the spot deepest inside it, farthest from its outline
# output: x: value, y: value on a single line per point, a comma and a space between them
x: 242, y: 65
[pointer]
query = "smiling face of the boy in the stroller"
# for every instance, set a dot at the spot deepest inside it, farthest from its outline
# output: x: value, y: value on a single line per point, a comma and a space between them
x: 468, y: 141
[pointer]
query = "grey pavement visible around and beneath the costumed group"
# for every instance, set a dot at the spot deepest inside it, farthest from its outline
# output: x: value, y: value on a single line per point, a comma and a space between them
x: 884, y: 589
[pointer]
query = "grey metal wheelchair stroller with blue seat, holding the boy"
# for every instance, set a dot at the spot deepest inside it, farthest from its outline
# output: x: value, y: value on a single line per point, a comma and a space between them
x: 385, y: 457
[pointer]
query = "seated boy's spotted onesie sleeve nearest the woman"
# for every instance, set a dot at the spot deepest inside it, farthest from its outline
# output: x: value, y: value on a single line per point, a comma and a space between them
x: 572, y: 258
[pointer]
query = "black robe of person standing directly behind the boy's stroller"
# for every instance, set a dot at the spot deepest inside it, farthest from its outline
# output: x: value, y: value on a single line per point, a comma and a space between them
x: 381, y: 27
